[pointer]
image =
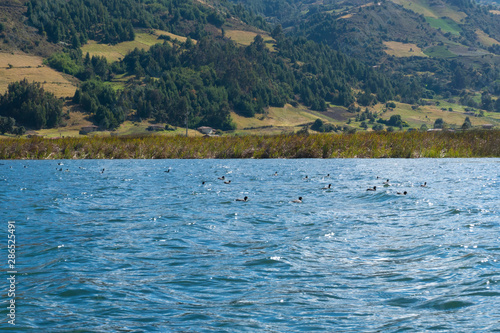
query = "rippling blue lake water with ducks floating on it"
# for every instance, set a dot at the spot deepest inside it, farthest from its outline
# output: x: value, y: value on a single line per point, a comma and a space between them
x: 134, y: 248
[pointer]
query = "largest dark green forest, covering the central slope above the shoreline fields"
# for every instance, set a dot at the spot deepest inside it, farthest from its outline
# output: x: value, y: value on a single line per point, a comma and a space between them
x: 208, y: 79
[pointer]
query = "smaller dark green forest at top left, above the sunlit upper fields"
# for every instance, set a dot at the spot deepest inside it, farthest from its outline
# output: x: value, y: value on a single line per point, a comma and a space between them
x: 73, y: 22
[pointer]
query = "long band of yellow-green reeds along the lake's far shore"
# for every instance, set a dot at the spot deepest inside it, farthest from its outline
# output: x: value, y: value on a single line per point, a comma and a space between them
x: 359, y: 145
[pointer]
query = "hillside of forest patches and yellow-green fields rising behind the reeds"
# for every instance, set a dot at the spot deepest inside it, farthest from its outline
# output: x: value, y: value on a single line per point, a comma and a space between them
x: 236, y: 65
